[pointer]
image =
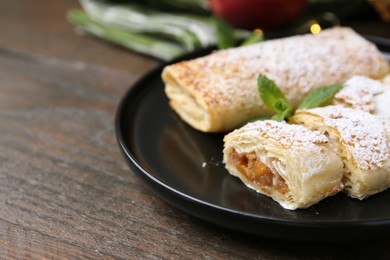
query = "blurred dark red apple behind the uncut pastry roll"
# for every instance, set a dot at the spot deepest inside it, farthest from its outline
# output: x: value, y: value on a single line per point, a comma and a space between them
x: 264, y: 14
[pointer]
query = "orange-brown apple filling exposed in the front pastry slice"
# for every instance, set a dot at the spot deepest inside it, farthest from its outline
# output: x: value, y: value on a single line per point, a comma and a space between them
x: 257, y: 173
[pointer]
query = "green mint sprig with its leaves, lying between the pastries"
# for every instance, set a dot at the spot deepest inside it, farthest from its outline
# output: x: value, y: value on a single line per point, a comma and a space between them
x: 274, y: 98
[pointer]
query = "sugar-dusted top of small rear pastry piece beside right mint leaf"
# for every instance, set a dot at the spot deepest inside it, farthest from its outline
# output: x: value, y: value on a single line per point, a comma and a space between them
x: 359, y: 92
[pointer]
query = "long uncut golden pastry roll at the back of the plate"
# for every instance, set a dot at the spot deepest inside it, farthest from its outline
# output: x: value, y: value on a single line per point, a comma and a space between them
x: 218, y: 92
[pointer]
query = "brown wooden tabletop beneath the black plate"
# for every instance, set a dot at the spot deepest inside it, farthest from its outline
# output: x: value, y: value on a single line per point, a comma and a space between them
x: 65, y: 189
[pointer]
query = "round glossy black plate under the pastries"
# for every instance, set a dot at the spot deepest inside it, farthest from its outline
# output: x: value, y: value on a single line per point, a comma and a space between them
x: 183, y: 166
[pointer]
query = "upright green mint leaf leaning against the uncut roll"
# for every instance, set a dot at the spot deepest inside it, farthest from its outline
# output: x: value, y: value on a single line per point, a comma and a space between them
x: 273, y: 97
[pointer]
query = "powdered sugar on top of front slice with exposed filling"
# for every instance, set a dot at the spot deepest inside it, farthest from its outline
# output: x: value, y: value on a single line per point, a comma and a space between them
x: 283, y: 133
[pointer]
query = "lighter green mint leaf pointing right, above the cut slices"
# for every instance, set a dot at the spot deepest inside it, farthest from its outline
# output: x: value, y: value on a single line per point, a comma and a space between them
x: 320, y: 96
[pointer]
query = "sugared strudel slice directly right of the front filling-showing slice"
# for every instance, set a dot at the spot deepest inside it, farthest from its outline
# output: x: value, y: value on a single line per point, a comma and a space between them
x: 362, y: 142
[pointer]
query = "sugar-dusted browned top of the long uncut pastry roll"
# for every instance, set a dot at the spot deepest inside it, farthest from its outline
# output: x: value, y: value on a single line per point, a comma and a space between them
x: 297, y: 64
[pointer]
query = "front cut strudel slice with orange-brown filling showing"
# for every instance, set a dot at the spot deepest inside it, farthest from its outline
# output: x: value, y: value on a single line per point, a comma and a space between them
x: 289, y: 163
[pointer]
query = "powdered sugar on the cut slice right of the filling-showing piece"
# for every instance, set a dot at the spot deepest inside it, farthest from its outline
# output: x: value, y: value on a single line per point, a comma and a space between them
x: 362, y: 133
